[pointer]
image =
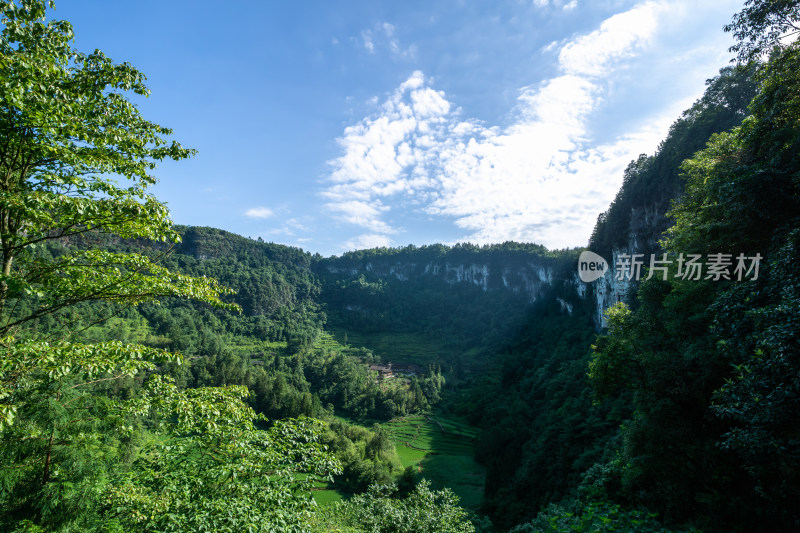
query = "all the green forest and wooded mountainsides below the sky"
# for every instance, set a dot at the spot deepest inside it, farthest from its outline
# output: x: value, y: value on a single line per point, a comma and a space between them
x: 158, y: 377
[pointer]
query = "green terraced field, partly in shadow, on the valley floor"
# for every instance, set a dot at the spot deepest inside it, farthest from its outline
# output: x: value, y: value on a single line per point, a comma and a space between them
x: 442, y: 451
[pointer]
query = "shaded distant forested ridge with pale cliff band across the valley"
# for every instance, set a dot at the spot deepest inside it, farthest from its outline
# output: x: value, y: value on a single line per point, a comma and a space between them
x: 466, y: 295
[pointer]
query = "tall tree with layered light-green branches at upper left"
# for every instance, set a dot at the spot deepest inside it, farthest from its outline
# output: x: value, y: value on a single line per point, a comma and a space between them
x: 76, y: 156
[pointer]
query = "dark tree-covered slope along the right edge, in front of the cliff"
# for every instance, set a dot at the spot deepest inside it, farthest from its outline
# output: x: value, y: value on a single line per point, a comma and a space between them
x: 715, y: 388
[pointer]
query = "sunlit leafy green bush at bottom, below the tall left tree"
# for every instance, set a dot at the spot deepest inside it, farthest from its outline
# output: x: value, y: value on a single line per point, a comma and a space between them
x: 211, y: 469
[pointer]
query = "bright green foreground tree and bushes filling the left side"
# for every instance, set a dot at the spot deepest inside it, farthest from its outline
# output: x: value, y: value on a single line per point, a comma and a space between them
x: 80, y: 452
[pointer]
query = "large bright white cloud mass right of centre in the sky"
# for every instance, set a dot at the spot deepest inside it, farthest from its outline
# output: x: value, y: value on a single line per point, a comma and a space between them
x: 537, y: 179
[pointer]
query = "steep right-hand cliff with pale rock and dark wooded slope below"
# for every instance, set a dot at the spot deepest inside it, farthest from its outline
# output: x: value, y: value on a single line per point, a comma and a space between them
x: 548, y: 429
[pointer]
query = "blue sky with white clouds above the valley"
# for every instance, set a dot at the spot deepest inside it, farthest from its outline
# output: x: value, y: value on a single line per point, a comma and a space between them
x: 334, y: 126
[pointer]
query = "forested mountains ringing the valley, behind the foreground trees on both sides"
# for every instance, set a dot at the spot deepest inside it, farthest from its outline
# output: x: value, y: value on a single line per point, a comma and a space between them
x: 519, y: 311
